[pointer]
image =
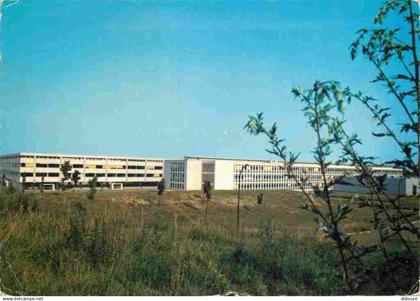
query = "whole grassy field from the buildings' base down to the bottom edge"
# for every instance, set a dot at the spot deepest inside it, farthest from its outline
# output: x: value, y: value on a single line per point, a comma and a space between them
x: 124, y: 243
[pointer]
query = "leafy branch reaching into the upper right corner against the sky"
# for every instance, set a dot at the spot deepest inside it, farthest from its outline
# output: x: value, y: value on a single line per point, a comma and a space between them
x: 393, y: 52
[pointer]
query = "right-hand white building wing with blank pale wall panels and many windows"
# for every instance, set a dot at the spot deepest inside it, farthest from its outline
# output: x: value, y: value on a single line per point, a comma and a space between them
x: 225, y: 174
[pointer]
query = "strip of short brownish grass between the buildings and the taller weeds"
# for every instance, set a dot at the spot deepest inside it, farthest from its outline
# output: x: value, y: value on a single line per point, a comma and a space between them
x: 282, y: 206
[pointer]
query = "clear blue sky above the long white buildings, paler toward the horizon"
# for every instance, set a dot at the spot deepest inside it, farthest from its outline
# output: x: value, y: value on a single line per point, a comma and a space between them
x: 174, y: 78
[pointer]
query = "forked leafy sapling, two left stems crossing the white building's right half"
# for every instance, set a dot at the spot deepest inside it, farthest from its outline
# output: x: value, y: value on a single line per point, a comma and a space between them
x: 317, y: 109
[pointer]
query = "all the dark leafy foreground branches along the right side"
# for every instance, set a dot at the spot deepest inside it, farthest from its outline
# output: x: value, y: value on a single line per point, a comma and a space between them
x: 323, y: 107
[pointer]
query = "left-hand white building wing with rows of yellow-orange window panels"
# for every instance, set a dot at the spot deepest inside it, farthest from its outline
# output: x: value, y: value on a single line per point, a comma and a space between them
x: 34, y: 169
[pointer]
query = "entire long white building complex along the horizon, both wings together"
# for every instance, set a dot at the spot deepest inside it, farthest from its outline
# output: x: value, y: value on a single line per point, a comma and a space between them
x: 31, y: 170
